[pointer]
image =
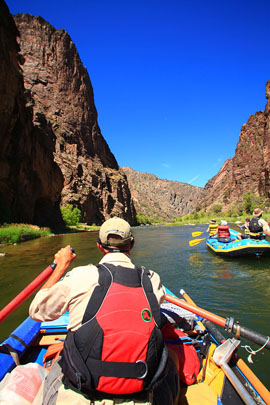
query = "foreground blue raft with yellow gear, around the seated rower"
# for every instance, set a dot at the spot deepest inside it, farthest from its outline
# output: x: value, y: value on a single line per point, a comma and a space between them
x: 222, y: 377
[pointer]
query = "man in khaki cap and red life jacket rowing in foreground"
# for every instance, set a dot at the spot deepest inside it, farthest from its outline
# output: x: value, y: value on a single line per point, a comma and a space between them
x: 114, y: 351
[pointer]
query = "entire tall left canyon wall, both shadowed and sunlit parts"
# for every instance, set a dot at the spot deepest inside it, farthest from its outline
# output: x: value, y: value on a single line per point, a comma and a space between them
x: 52, y: 151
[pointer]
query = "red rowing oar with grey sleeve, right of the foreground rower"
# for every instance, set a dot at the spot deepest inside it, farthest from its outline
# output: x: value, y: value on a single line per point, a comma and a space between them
x: 228, y: 324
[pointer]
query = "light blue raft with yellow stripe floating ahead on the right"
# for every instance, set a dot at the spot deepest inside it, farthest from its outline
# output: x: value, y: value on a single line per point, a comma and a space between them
x: 237, y: 248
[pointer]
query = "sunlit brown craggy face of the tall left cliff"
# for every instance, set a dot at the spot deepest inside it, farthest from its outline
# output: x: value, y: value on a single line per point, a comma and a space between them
x: 61, y: 96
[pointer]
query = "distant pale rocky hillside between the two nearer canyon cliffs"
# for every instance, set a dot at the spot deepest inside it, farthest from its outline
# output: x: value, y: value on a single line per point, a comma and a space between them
x: 161, y: 199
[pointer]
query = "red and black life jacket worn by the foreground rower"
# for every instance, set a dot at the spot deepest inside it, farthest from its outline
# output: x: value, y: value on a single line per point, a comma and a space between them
x: 119, y: 349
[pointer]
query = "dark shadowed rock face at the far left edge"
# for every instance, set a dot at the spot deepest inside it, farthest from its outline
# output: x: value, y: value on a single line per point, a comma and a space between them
x: 30, y: 180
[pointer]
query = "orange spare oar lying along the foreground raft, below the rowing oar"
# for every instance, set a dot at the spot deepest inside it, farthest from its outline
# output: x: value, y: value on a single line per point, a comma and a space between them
x: 257, y: 384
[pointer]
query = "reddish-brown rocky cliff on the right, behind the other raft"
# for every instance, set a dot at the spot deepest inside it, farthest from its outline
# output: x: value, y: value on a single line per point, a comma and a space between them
x: 249, y: 169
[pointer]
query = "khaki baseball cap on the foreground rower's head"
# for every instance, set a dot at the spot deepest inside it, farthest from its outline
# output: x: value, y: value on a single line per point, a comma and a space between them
x: 115, y: 226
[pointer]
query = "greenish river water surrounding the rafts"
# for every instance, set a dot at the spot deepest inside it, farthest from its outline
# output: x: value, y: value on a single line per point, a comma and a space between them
x: 238, y: 287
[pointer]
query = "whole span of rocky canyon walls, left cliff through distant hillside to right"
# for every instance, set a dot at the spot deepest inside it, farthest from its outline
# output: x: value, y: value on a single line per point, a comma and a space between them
x: 52, y: 151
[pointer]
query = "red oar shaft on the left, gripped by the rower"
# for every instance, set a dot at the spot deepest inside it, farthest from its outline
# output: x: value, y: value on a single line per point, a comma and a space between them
x: 27, y: 291
